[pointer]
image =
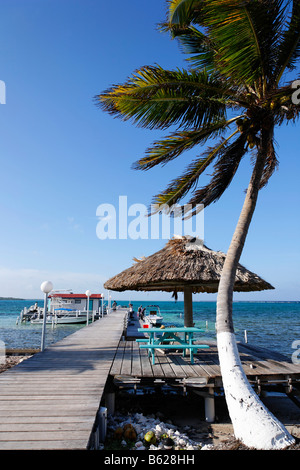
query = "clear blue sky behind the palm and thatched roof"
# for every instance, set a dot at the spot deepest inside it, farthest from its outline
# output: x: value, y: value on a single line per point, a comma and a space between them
x: 61, y: 157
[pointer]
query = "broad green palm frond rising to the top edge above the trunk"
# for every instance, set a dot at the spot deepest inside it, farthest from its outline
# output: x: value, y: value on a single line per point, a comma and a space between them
x: 246, y: 33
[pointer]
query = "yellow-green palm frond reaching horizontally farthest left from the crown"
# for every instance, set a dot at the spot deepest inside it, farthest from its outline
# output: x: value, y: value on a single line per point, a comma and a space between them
x: 158, y: 98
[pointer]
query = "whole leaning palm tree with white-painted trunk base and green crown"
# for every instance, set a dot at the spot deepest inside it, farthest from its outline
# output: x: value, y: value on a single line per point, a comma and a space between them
x: 231, y: 99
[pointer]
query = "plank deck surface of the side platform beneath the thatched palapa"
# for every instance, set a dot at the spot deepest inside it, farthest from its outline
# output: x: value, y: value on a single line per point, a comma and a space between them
x: 132, y: 361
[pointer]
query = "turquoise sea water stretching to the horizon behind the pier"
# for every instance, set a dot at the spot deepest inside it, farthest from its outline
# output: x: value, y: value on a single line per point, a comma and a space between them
x: 273, y: 325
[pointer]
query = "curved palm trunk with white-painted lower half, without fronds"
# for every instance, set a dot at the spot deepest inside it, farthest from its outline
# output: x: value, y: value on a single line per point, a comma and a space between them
x: 253, y: 423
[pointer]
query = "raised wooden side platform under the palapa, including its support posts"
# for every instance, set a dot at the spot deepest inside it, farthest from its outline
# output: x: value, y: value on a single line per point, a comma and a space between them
x: 265, y: 370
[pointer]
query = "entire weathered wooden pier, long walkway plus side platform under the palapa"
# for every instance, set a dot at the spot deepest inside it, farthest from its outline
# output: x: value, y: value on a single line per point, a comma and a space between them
x: 52, y: 400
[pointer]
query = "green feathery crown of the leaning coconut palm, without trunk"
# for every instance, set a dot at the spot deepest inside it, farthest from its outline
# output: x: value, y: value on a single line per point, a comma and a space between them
x: 233, y: 91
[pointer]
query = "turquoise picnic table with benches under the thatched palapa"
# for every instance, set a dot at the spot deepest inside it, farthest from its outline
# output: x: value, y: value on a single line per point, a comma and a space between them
x: 161, y: 338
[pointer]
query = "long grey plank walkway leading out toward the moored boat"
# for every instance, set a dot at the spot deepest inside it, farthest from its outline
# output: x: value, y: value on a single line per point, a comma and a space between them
x: 50, y: 401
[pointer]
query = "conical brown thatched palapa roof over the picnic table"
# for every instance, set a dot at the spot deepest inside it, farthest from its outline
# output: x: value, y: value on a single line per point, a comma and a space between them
x: 183, y: 263
